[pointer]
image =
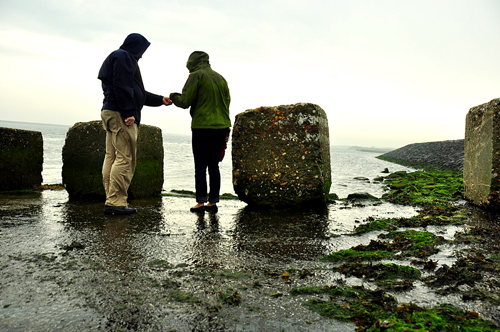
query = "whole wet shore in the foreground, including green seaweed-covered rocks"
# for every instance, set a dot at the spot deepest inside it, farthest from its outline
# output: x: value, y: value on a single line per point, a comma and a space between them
x: 68, y: 267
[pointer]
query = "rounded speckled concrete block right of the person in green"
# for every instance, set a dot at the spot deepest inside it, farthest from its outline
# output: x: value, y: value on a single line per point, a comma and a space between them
x: 281, y: 156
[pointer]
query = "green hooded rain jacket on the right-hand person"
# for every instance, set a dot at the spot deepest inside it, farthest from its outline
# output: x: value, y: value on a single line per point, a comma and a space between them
x: 206, y: 92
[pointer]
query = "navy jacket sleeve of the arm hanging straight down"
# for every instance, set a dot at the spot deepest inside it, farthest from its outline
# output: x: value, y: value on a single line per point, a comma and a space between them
x: 124, y: 68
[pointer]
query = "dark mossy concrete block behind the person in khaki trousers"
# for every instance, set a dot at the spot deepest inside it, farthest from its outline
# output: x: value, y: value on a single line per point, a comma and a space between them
x: 83, y: 155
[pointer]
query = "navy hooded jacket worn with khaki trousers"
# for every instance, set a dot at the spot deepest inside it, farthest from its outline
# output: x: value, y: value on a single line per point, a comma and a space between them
x: 122, y: 81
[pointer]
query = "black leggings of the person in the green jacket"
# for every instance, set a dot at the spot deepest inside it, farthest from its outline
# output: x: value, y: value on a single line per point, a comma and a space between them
x: 207, y: 145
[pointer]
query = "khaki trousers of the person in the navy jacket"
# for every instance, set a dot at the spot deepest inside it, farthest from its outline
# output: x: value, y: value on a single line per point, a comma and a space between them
x: 120, y: 159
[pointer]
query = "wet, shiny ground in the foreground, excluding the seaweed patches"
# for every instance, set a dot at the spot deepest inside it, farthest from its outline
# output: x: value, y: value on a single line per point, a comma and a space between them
x: 66, y: 266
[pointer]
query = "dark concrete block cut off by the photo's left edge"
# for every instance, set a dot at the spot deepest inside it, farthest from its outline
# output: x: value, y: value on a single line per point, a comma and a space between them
x: 21, y: 159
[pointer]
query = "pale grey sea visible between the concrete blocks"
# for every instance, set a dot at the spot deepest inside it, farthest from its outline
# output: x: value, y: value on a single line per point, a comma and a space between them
x: 353, y: 167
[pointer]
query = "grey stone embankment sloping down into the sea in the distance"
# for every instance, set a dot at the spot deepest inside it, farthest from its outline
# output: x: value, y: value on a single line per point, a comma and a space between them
x: 448, y: 155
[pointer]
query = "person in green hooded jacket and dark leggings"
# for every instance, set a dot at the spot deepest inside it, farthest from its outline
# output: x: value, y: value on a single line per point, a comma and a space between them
x: 206, y: 92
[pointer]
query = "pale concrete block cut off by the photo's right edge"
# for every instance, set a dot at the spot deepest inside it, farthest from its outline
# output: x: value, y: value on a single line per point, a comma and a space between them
x: 482, y: 155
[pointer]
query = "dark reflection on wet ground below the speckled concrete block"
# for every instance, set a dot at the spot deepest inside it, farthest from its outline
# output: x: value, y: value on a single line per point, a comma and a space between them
x: 282, y: 234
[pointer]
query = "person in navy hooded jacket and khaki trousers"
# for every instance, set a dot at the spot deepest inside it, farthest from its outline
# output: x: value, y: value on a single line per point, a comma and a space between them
x: 124, y: 97
